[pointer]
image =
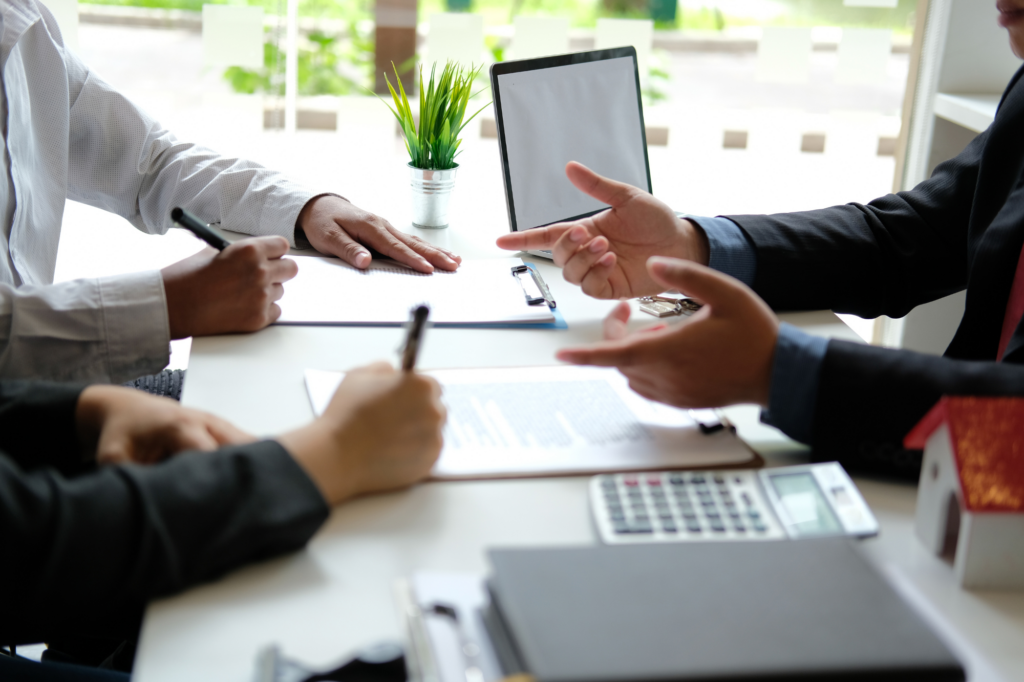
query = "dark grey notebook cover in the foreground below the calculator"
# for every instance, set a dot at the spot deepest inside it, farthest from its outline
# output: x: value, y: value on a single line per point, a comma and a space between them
x: 789, y: 610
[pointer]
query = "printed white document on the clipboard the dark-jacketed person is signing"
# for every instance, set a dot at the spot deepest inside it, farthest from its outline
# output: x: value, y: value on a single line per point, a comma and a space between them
x: 540, y: 421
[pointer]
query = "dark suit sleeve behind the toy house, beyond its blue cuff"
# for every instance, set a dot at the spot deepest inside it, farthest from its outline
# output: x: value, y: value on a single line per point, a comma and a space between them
x: 864, y: 428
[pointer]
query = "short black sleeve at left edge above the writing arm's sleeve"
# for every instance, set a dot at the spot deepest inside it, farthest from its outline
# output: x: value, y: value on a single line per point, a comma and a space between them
x: 37, y: 425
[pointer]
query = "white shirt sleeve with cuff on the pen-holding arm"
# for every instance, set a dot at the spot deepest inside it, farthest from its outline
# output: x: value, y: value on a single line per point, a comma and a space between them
x: 108, y: 329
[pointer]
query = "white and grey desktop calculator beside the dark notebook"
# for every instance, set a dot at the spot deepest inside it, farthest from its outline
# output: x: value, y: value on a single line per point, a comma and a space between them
x: 784, y: 503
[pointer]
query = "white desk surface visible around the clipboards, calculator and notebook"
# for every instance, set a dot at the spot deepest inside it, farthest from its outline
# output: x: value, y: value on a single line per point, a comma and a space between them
x: 336, y: 596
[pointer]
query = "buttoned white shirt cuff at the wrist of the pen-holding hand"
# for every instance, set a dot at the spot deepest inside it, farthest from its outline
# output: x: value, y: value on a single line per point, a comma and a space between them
x: 138, y: 330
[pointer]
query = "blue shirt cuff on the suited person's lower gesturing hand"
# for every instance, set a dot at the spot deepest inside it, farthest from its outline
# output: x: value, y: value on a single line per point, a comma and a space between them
x: 795, y: 375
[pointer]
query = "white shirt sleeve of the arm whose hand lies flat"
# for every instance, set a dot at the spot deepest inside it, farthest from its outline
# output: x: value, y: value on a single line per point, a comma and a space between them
x: 123, y: 161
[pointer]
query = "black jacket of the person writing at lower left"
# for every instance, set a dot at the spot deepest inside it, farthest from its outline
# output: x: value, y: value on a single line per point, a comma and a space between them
x: 83, y: 549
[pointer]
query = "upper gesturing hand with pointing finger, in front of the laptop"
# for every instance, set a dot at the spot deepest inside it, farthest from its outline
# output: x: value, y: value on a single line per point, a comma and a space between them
x: 608, y: 253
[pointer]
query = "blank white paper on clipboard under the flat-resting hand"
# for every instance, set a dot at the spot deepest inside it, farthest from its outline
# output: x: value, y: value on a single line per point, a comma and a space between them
x: 328, y: 291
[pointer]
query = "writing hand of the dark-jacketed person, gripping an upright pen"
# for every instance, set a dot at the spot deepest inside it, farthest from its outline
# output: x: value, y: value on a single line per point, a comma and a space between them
x: 381, y: 432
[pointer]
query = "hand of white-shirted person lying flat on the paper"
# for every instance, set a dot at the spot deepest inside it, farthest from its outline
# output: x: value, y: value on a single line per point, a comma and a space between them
x: 337, y: 228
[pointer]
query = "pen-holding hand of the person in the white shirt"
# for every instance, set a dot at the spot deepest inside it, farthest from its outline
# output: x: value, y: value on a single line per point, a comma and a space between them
x: 231, y: 291
